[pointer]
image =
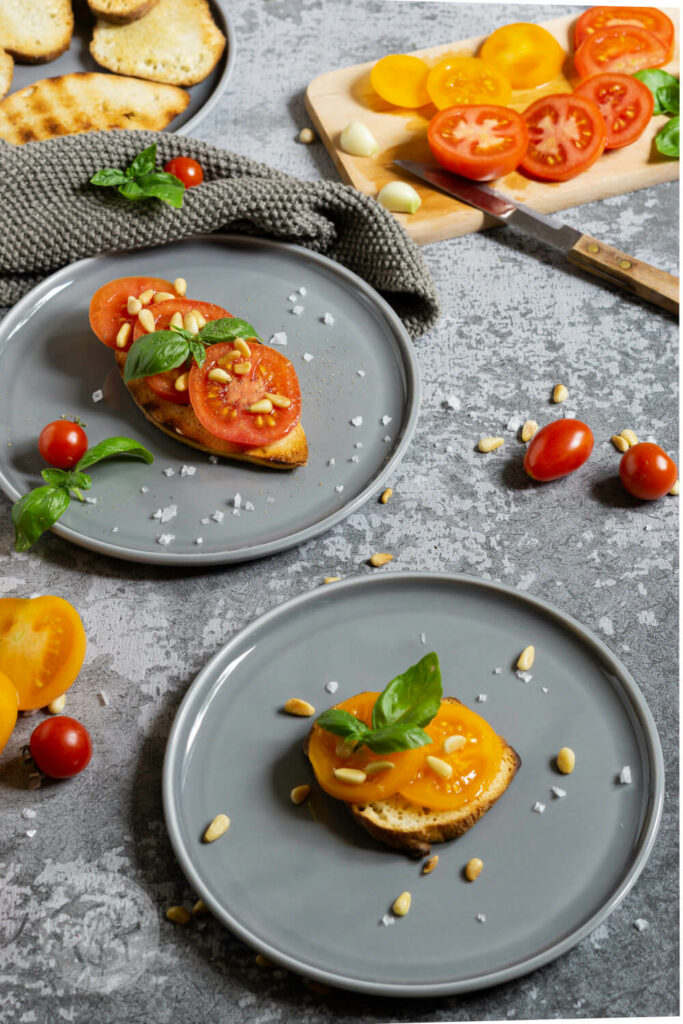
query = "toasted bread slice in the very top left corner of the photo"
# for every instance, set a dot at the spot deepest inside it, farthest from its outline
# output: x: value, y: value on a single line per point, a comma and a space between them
x: 36, y: 31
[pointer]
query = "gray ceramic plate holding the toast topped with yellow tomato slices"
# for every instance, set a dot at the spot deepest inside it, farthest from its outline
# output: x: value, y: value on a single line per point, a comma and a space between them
x: 309, y: 888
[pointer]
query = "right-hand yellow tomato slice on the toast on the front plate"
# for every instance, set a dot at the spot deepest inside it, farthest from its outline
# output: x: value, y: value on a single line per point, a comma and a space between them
x: 475, y: 765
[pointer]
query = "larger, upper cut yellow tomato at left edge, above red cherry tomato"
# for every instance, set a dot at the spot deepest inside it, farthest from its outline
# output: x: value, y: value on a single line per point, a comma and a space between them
x: 42, y: 647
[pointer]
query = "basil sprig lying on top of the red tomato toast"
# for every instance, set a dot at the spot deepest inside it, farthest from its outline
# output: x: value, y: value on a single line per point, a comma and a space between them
x: 161, y: 351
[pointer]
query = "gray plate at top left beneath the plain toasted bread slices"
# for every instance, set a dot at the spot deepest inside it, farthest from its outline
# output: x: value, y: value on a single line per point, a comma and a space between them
x: 77, y: 59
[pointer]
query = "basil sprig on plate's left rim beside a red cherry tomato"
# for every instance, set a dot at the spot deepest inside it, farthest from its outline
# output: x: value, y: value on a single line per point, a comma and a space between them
x: 41, y: 508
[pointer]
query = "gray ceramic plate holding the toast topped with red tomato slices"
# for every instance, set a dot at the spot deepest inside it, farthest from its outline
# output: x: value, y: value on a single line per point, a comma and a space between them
x: 52, y: 364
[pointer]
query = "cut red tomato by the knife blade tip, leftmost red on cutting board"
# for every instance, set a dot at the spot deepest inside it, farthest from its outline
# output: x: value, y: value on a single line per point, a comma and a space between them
x: 479, y: 142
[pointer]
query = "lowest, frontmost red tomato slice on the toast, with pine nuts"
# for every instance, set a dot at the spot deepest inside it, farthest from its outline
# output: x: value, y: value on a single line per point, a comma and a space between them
x: 224, y: 408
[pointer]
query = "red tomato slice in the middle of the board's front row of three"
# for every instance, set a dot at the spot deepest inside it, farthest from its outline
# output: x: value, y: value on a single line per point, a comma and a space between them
x: 567, y: 136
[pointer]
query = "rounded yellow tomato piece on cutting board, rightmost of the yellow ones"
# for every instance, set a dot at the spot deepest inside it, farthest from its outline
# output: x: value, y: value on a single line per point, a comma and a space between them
x: 528, y: 55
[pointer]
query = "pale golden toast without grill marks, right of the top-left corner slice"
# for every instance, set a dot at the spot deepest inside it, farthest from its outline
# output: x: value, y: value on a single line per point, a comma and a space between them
x: 178, y: 44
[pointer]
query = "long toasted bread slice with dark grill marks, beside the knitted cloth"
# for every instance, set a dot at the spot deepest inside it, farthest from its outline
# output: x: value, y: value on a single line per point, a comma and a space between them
x: 88, y: 102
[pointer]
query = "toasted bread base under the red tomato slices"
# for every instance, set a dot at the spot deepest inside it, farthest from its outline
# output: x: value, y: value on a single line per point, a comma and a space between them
x: 180, y: 422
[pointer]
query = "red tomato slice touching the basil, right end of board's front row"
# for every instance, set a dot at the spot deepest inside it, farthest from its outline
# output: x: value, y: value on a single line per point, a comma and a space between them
x: 625, y: 103
